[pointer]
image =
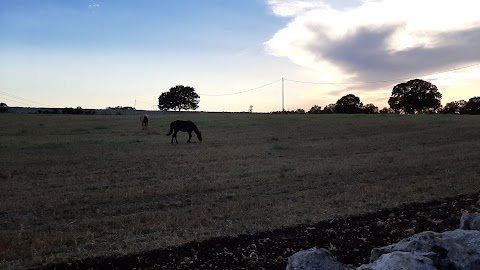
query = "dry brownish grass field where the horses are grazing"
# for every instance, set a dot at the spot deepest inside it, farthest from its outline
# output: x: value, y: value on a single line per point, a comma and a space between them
x: 77, y: 186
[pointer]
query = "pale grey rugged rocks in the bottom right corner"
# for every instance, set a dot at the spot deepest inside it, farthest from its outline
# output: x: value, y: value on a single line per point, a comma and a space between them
x: 458, y: 249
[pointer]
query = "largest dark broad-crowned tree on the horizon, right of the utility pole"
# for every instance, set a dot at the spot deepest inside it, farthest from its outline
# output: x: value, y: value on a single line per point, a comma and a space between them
x: 415, y: 96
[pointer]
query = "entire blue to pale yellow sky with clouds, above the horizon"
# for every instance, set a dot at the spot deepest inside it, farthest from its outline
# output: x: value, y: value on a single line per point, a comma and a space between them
x: 107, y: 53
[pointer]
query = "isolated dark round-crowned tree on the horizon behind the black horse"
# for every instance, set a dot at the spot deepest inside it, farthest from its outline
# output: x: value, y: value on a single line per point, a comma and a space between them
x: 178, y: 98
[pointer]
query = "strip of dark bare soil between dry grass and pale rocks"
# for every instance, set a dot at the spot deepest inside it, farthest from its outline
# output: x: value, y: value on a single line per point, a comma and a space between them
x: 350, y: 239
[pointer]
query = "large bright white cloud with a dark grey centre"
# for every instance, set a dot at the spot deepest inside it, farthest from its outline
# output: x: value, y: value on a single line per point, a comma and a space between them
x: 378, y: 40
